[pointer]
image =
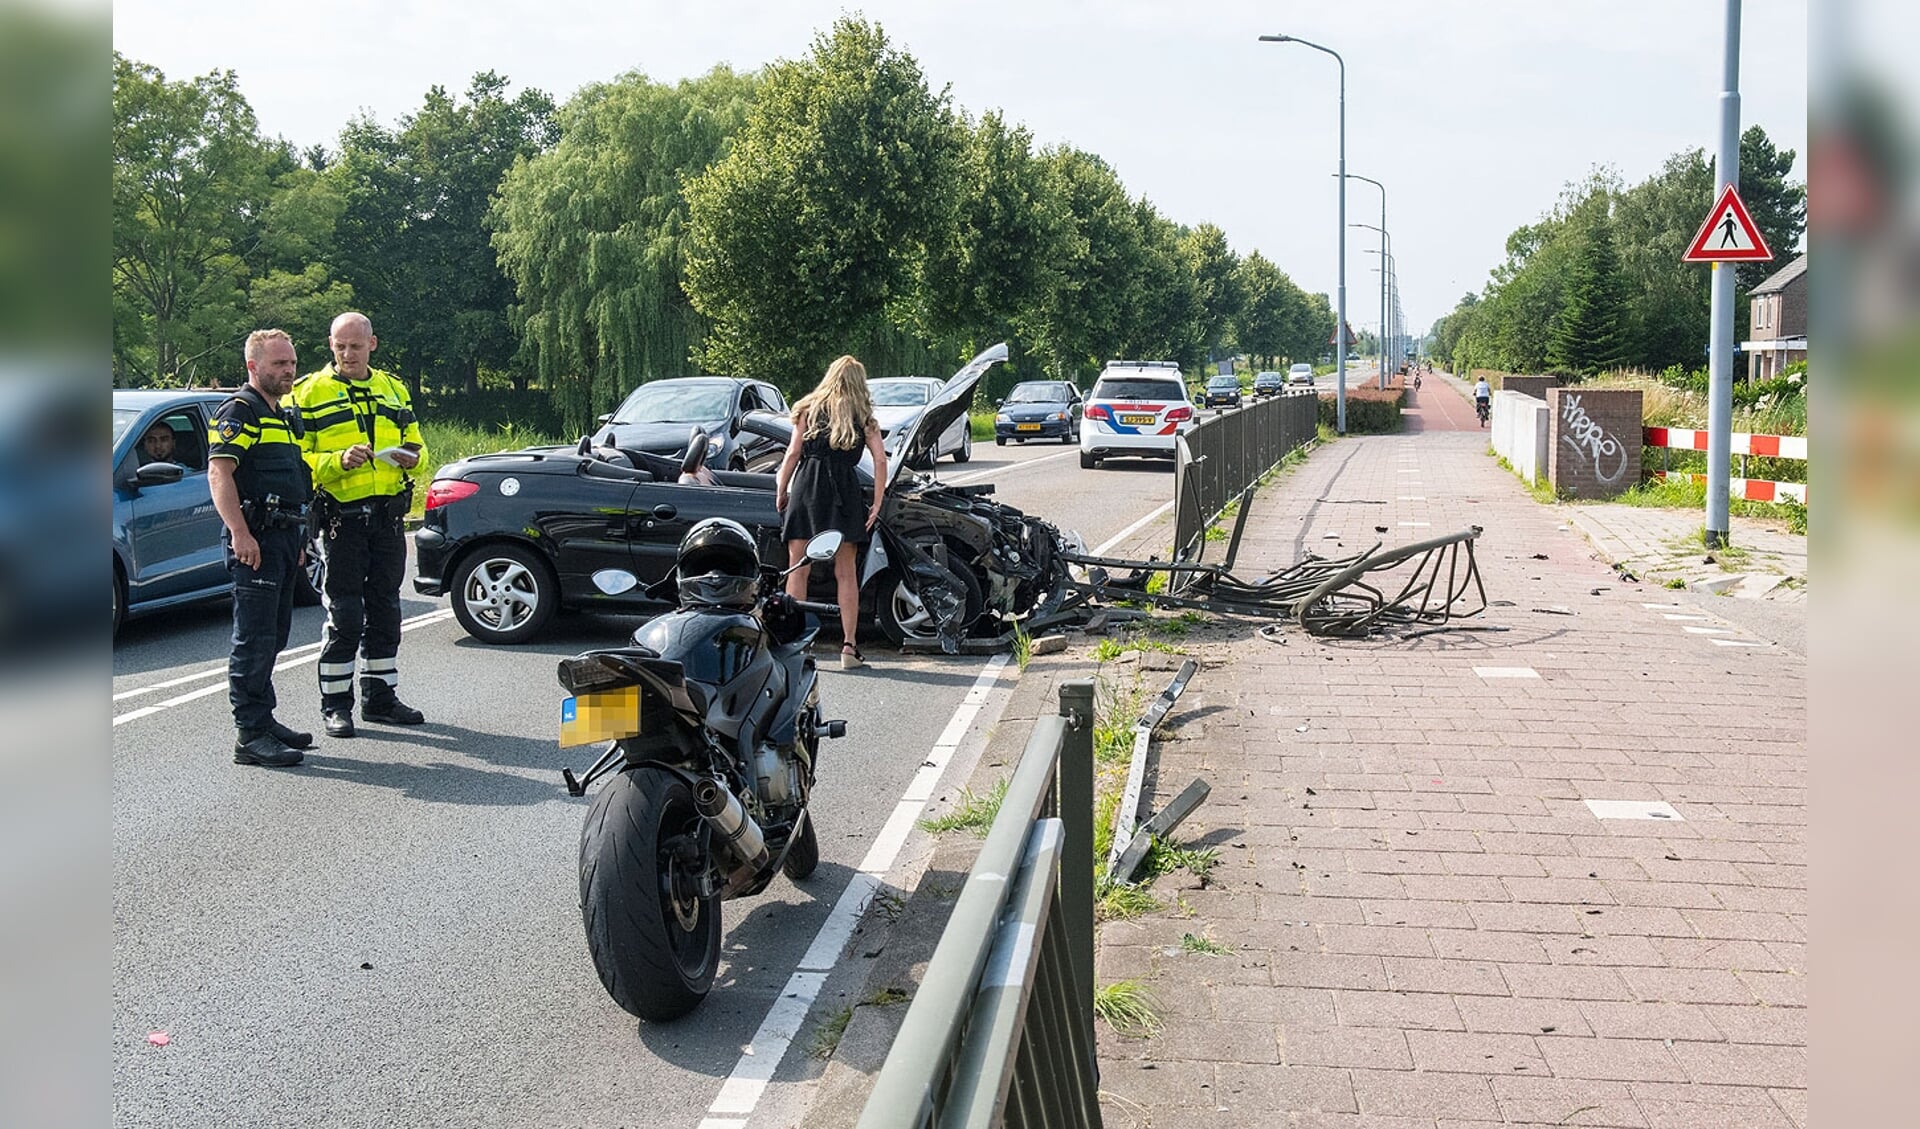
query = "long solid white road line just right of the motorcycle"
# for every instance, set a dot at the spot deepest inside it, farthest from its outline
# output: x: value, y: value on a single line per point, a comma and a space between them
x: 756, y: 1070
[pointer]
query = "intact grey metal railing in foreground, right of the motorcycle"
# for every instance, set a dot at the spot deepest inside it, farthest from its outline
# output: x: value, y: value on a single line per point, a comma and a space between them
x: 1001, y: 1030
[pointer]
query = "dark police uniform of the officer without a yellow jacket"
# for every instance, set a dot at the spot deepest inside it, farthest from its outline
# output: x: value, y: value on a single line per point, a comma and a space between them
x: 276, y: 489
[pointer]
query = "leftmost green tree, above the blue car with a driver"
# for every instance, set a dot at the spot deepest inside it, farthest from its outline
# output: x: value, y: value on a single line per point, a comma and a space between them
x: 189, y: 180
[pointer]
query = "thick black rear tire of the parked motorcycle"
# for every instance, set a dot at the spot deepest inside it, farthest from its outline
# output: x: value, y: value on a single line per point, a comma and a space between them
x: 656, y: 942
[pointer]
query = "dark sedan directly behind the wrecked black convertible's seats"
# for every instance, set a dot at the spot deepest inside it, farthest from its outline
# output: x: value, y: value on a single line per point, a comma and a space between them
x: 660, y: 416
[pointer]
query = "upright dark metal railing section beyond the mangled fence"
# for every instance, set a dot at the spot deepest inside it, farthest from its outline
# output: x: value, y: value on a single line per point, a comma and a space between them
x: 1222, y: 456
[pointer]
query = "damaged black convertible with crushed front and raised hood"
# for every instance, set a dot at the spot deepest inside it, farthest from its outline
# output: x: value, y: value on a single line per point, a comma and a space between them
x: 517, y: 537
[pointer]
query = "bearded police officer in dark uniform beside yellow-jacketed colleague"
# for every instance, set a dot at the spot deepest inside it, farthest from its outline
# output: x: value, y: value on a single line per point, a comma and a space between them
x: 260, y: 489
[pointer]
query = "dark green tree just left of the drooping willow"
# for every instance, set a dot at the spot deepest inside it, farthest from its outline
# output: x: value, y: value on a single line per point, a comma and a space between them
x: 414, y: 239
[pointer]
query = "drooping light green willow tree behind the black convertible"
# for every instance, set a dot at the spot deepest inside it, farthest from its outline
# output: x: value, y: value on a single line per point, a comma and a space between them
x: 594, y: 235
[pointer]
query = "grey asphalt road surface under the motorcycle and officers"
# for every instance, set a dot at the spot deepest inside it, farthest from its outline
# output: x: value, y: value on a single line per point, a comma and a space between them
x: 391, y: 934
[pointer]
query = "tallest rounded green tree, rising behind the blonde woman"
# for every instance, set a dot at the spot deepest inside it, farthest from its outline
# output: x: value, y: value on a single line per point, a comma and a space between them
x: 811, y: 237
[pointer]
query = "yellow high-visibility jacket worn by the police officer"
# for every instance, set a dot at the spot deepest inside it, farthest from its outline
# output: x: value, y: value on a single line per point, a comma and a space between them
x: 341, y: 414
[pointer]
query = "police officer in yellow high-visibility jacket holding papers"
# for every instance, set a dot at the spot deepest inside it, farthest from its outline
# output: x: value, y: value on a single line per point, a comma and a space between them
x: 362, y: 443
